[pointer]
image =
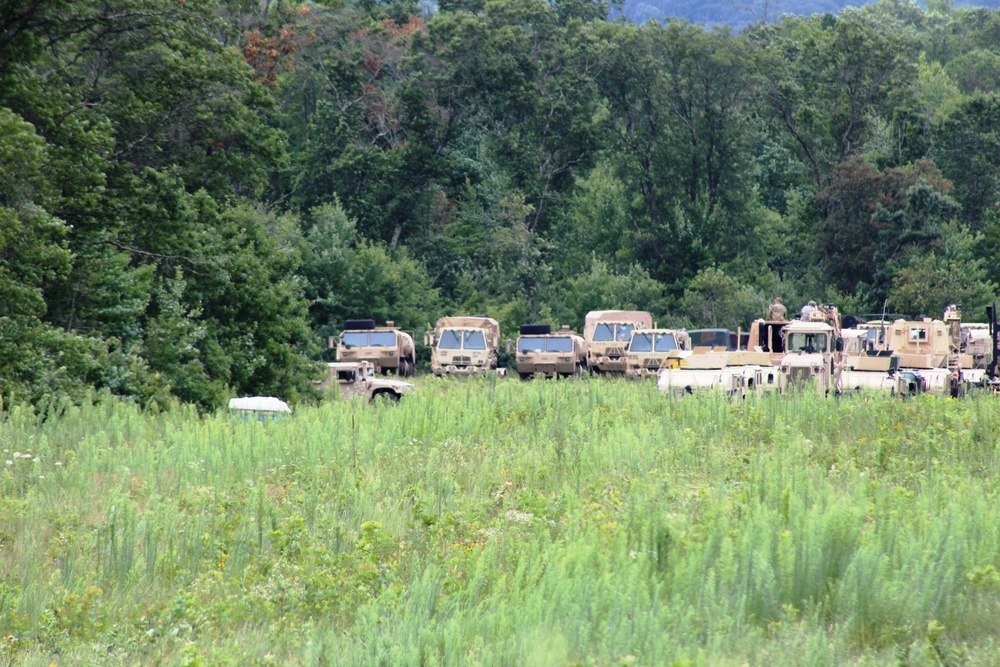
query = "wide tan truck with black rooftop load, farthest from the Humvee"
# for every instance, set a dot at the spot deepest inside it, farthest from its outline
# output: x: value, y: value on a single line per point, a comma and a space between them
x: 540, y: 352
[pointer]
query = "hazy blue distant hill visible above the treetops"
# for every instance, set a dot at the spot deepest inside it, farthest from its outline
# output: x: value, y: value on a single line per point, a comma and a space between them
x: 738, y: 13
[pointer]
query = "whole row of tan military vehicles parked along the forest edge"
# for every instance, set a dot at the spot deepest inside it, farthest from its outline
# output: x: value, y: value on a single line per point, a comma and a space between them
x: 892, y: 355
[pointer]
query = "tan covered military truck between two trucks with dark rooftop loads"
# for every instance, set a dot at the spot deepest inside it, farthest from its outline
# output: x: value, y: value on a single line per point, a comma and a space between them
x: 464, y: 346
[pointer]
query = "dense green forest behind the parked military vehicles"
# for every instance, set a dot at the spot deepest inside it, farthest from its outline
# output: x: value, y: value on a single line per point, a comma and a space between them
x: 195, y: 193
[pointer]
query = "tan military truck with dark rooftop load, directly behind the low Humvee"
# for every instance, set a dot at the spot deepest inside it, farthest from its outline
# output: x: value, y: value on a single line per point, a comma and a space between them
x: 387, y: 348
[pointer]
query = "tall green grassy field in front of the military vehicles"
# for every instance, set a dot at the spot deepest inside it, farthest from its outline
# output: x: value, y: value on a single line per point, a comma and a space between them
x: 503, y: 523
